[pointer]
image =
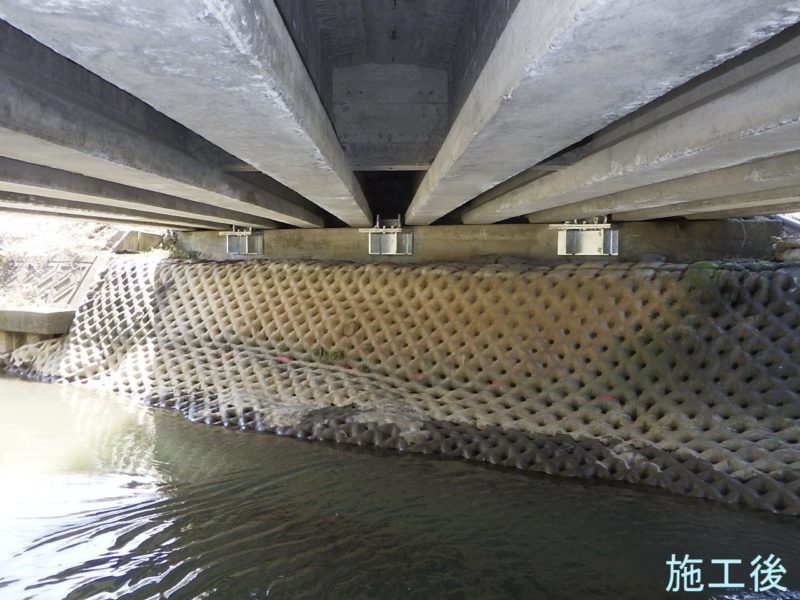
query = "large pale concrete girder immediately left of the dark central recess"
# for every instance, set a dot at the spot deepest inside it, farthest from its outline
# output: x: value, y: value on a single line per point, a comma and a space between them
x: 227, y: 70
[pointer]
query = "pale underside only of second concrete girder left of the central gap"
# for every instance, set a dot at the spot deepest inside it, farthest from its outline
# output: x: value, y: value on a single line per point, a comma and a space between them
x: 81, y: 144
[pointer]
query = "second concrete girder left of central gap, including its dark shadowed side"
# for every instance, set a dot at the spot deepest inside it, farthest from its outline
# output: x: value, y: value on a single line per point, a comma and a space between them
x: 54, y: 113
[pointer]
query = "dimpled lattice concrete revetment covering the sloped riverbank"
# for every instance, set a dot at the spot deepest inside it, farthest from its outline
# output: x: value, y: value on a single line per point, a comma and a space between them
x: 685, y: 378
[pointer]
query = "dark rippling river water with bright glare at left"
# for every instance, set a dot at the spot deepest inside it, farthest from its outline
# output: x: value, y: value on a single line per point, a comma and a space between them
x: 102, y: 498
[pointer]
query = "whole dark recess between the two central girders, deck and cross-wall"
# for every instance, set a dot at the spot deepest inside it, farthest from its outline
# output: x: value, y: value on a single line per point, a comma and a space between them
x: 451, y: 39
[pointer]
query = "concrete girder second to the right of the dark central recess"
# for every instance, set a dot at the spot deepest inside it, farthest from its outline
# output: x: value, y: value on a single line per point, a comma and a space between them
x: 756, y: 120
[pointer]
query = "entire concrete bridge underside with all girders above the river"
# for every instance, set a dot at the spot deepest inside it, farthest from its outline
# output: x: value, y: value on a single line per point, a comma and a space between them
x: 275, y: 114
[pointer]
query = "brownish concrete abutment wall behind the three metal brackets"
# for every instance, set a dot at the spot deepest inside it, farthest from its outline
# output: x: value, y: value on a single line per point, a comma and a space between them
x: 679, y: 242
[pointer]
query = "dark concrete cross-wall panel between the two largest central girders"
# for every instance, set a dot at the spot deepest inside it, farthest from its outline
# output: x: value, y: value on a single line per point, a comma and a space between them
x: 390, y: 116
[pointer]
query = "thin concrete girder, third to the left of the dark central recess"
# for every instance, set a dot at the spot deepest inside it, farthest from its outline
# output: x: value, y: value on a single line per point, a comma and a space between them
x: 26, y: 178
